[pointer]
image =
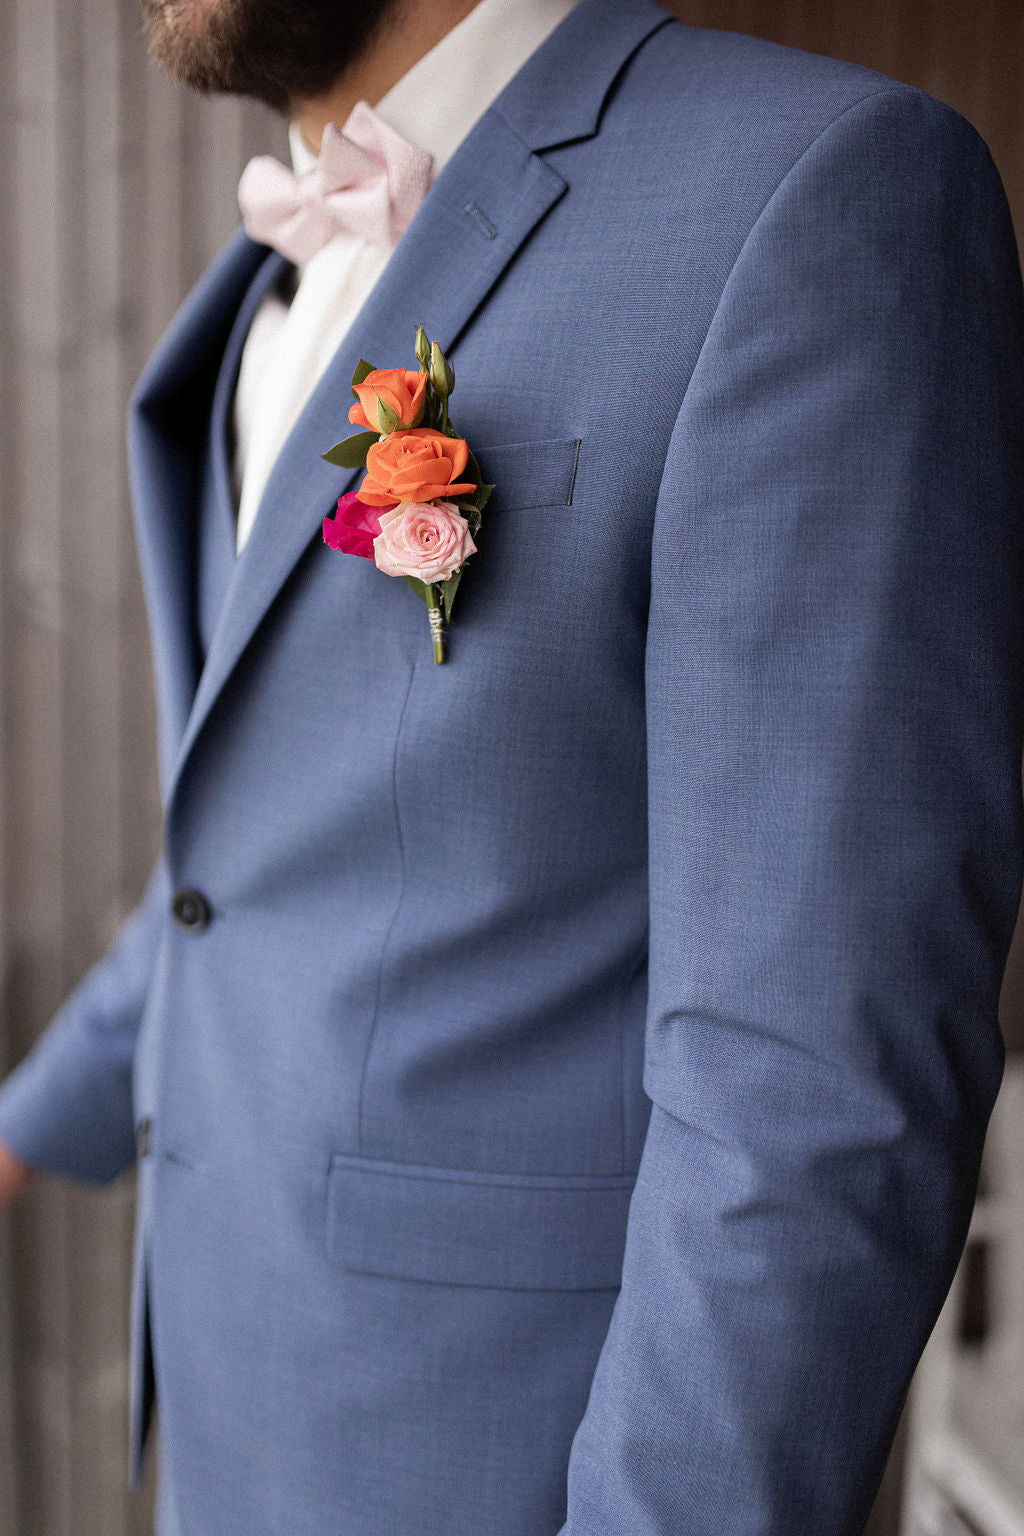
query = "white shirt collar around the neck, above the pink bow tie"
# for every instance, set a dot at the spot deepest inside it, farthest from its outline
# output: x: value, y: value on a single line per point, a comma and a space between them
x: 448, y: 91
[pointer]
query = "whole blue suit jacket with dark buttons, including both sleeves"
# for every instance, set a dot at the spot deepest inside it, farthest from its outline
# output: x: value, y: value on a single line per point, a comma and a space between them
x: 572, y: 1113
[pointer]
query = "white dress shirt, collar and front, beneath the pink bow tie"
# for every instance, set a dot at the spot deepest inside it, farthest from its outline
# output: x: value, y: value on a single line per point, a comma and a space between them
x: 289, y: 345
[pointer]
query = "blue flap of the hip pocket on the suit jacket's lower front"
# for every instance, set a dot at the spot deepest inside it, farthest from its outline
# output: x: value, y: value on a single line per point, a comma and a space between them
x: 477, y: 1230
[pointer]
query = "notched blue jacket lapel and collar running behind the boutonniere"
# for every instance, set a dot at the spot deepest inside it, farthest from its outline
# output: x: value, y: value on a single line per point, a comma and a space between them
x: 489, y: 199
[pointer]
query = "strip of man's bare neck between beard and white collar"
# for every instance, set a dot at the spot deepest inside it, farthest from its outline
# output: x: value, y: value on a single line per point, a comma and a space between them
x: 415, y: 28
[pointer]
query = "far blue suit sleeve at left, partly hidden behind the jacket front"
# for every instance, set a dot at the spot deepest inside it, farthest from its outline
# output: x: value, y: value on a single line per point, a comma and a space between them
x: 68, y: 1107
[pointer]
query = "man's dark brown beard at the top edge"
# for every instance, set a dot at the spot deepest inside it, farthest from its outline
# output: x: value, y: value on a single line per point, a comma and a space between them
x: 277, y: 51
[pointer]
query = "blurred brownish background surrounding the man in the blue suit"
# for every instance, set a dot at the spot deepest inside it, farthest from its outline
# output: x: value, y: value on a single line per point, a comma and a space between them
x: 116, y: 190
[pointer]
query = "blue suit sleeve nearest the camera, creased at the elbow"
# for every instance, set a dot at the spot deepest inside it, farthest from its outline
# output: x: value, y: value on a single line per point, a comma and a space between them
x: 834, y: 710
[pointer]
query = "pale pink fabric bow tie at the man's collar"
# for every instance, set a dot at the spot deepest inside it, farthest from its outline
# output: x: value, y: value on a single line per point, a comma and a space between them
x: 368, y: 180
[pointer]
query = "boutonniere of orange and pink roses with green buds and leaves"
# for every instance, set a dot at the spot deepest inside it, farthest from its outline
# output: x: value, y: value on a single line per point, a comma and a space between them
x: 423, y: 497
